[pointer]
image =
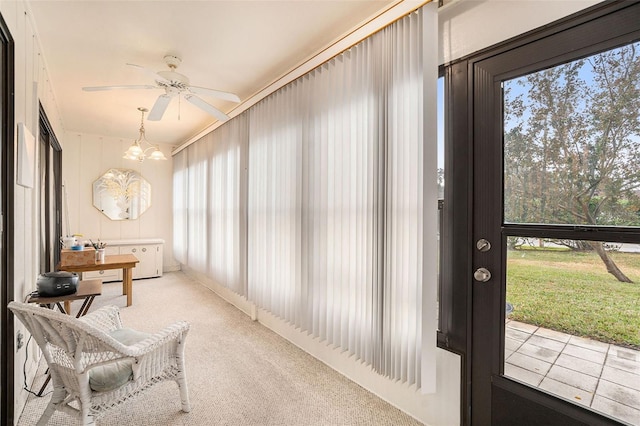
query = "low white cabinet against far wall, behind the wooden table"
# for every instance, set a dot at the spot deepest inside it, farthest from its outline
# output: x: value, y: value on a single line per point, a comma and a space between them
x: 147, y: 251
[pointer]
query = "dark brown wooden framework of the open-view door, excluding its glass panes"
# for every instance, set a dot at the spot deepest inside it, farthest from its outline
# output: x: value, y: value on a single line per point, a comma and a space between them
x: 497, y: 400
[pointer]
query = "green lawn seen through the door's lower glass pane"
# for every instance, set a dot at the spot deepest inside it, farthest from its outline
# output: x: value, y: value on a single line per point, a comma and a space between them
x: 572, y: 292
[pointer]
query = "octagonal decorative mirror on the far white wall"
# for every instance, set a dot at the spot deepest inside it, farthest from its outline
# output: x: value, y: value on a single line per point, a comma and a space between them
x: 121, y: 194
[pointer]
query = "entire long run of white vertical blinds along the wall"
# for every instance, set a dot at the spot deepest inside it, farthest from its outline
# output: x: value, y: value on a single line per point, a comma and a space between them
x: 332, y: 224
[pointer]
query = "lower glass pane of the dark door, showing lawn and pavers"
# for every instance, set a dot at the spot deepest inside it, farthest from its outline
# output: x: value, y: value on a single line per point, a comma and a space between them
x: 572, y: 328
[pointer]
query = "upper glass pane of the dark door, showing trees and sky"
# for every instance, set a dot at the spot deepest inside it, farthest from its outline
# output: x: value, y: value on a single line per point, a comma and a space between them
x: 572, y: 142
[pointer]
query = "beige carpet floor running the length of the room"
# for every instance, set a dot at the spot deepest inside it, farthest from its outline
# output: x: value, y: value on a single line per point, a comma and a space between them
x: 238, y: 371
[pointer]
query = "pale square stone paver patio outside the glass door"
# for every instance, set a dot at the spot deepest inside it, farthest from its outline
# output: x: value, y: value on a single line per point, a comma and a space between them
x: 598, y: 375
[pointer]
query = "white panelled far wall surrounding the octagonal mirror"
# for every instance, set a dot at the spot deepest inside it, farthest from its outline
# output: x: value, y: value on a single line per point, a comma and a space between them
x: 84, y: 159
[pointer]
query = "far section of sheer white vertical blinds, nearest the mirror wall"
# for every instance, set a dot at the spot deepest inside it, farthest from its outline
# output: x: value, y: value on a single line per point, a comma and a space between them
x: 210, y: 184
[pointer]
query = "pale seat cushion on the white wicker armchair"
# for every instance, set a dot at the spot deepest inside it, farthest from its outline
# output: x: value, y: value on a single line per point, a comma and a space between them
x: 105, y: 378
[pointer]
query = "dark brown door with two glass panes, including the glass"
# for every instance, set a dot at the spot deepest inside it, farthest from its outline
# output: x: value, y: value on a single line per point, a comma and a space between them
x: 556, y: 225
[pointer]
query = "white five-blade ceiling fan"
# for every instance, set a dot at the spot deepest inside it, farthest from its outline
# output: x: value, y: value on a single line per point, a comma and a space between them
x: 174, y: 84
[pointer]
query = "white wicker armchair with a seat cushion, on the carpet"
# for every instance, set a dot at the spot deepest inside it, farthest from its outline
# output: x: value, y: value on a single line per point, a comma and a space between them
x: 95, y: 361
